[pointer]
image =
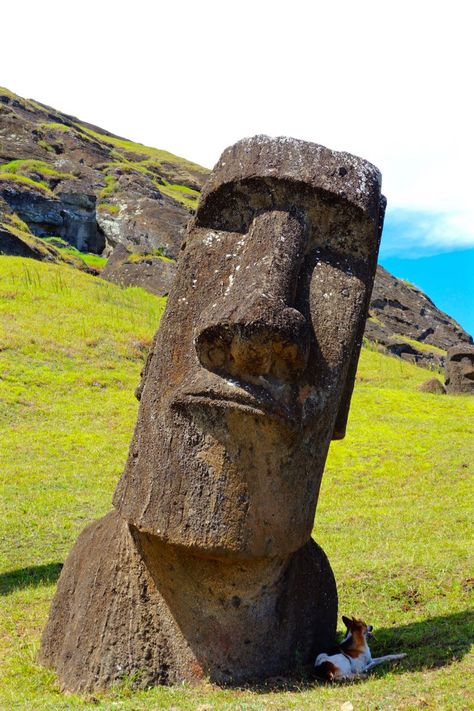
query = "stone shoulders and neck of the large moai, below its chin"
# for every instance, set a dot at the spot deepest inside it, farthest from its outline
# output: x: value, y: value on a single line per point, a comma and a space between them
x: 128, y: 606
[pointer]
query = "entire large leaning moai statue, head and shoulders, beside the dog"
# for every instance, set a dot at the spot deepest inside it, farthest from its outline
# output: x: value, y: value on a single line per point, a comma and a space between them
x: 206, y: 566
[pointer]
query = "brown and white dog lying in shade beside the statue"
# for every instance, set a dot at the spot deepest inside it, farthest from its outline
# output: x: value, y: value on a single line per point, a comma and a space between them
x: 353, y: 658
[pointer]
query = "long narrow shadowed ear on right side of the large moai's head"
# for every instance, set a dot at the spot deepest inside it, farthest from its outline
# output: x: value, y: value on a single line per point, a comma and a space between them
x: 345, y: 401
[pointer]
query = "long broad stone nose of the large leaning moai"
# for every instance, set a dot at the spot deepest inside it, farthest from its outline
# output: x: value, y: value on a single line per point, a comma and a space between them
x: 254, y: 329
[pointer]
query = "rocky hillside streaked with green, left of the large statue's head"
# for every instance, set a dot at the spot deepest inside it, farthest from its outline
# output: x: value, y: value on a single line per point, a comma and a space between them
x: 67, y: 178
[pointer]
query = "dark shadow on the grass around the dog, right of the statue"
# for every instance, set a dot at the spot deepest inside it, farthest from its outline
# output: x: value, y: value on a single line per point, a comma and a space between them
x: 429, y: 644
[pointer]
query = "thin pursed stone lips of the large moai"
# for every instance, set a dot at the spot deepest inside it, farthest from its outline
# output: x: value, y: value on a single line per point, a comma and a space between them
x: 252, y: 400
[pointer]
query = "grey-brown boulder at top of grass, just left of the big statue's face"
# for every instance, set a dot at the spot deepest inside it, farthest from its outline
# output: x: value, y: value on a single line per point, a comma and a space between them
x: 153, y: 273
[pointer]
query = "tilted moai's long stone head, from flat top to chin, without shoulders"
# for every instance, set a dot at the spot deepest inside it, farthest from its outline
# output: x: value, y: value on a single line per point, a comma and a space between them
x: 252, y: 369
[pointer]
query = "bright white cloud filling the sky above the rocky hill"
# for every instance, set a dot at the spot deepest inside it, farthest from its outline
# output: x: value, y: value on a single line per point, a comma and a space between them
x: 389, y: 81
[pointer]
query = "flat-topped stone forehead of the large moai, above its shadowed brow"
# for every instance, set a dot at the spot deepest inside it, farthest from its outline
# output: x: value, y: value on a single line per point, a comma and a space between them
x: 341, y: 174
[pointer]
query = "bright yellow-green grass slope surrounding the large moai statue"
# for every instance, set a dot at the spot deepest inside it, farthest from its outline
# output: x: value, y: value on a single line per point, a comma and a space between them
x: 394, y: 511
